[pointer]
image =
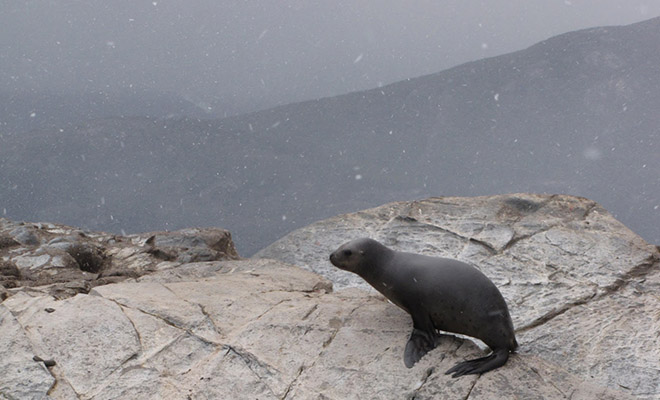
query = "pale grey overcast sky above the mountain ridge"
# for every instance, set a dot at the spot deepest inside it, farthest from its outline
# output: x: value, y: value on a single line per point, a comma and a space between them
x: 249, y: 54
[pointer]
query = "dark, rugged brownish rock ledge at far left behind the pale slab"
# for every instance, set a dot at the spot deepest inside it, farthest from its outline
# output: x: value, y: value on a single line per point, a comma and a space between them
x: 69, y: 261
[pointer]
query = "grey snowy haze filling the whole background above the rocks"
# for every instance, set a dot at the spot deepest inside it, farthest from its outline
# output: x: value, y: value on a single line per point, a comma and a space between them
x: 575, y: 114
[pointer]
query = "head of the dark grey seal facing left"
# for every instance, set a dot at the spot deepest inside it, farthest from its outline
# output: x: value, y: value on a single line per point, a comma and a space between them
x: 357, y: 255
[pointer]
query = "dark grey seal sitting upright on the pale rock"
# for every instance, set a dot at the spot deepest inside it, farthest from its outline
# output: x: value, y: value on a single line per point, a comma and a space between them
x: 439, y: 294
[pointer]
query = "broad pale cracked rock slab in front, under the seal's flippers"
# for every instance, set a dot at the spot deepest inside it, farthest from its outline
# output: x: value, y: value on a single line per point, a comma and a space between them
x: 256, y: 329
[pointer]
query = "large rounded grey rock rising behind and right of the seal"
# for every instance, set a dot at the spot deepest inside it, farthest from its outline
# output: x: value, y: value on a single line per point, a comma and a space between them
x: 564, y: 265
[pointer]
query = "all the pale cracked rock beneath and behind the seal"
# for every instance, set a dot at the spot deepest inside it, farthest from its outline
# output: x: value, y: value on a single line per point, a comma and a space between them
x: 582, y: 290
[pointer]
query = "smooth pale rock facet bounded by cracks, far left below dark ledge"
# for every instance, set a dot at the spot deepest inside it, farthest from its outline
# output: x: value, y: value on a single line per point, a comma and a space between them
x: 87, y: 336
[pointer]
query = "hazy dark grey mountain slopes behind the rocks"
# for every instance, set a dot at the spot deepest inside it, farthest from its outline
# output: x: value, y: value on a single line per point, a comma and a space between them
x: 574, y: 114
